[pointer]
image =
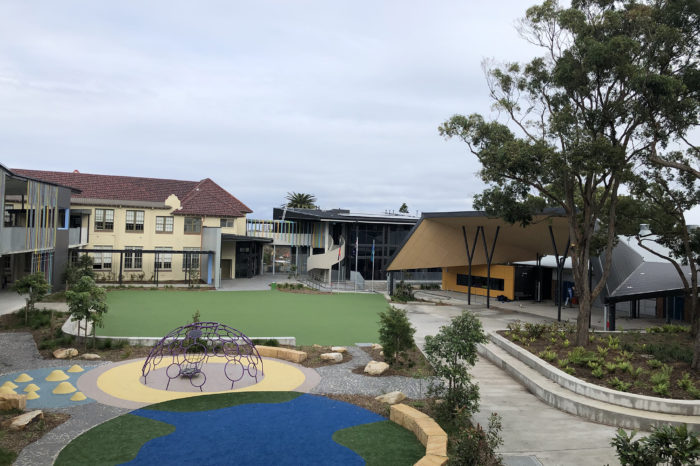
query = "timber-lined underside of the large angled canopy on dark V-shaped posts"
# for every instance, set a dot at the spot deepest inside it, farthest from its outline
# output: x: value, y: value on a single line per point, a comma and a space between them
x: 437, y: 240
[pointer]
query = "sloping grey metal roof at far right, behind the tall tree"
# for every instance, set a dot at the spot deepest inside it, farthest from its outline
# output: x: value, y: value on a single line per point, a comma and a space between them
x: 650, y: 280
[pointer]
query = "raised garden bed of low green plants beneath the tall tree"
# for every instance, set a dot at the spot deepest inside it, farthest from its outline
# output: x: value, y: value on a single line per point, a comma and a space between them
x: 653, y: 363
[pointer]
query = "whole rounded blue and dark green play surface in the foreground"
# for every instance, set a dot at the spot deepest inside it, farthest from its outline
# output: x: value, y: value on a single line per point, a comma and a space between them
x: 254, y: 428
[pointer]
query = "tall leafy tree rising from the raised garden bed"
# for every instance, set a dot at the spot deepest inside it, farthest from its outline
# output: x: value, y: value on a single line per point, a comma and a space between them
x: 581, y: 115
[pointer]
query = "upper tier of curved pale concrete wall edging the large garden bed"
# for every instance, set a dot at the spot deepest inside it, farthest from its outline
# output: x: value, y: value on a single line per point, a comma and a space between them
x: 596, y: 392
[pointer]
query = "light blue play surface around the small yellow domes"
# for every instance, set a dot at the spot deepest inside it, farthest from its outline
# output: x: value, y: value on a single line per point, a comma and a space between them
x: 47, y: 400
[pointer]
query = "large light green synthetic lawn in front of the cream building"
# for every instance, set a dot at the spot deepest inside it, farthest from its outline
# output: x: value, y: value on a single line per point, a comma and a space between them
x: 338, y: 319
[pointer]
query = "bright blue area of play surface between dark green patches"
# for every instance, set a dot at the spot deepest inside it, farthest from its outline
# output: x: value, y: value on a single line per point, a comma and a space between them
x: 296, y: 432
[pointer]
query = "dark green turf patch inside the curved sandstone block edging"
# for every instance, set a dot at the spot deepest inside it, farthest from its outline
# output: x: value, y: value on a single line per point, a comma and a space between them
x: 382, y: 443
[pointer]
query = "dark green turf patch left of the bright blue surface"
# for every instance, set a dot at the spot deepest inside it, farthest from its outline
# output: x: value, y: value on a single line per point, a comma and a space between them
x: 126, y: 434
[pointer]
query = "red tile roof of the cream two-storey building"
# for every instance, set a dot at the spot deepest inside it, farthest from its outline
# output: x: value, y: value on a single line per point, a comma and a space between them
x: 197, y: 197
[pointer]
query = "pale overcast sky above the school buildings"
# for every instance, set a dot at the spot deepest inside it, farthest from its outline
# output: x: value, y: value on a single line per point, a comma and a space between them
x: 341, y: 99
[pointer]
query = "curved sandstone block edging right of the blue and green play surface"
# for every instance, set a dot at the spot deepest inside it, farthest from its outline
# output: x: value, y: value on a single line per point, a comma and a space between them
x: 426, y: 430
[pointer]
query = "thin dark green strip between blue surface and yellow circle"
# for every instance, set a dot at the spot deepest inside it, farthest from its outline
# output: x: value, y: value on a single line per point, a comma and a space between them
x: 222, y: 400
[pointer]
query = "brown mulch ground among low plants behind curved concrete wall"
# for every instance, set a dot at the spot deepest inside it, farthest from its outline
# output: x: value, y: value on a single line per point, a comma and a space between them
x: 646, y: 353
